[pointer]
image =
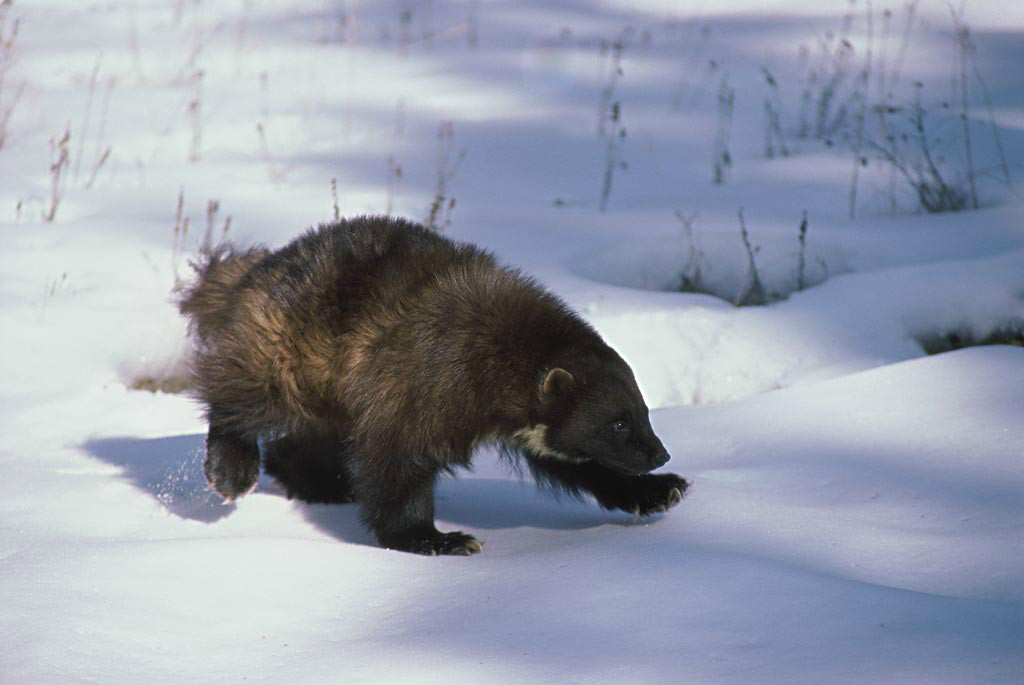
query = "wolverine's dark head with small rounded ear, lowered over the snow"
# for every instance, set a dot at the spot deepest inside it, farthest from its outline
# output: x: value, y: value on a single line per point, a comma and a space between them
x: 593, y: 411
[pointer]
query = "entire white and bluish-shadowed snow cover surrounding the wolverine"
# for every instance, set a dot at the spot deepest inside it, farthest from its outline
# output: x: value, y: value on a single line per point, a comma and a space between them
x: 857, y: 508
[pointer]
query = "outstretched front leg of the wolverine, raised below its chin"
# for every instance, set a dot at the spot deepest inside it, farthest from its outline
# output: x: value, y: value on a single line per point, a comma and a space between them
x: 642, y: 495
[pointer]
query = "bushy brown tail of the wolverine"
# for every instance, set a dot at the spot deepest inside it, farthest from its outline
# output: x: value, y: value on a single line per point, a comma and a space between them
x: 218, y: 274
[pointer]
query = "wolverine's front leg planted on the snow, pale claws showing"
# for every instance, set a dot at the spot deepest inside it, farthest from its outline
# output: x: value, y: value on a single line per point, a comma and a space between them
x: 399, y: 507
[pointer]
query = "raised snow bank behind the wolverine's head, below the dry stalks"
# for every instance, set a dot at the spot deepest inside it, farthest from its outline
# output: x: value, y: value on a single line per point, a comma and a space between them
x: 691, y: 353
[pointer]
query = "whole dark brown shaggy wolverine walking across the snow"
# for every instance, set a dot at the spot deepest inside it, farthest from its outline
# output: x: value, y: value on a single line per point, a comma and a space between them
x: 371, y: 356
